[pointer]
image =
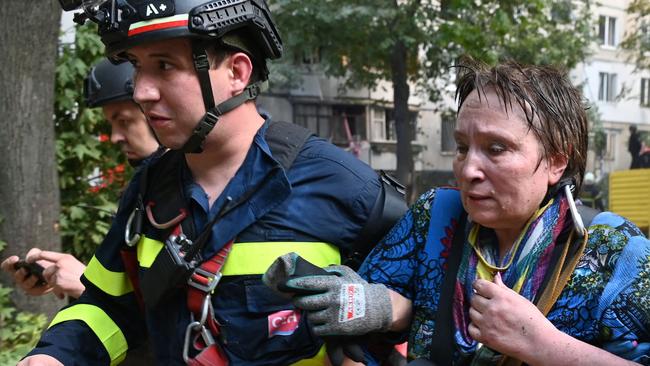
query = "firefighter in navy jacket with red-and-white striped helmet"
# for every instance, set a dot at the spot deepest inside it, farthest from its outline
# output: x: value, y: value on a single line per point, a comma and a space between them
x: 198, y: 226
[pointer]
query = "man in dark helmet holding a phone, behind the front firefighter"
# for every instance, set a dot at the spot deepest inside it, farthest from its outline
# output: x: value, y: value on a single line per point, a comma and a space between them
x: 109, y: 87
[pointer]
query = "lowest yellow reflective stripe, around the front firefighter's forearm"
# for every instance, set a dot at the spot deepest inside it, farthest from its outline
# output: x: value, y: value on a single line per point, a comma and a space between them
x: 104, y: 328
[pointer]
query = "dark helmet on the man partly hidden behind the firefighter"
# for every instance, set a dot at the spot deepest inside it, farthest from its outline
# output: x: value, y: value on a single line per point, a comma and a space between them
x: 108, y: 83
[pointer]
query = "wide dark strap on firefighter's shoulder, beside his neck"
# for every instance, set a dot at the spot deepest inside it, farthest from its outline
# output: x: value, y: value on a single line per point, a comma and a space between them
x: 285, y: 141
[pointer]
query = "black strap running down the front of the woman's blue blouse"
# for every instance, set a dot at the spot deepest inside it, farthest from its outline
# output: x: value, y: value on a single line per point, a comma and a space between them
x: 442, y: 339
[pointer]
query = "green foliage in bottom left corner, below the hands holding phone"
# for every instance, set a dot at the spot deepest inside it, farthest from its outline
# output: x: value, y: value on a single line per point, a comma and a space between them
x: 19, y: 331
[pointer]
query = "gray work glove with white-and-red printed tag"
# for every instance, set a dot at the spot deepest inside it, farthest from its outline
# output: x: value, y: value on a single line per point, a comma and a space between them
x: 343, y: 303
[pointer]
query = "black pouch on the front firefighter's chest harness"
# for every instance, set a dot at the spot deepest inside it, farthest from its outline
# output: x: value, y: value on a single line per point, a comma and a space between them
x: 168, y: 273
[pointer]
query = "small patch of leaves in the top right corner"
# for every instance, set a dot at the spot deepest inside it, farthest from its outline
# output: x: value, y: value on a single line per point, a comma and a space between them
x: 637, y: 42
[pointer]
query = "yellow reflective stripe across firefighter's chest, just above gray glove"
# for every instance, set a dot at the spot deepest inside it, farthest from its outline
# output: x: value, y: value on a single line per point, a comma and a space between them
x: 255, y: 258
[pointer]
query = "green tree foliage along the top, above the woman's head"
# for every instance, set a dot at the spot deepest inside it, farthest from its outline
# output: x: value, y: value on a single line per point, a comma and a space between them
x: 357, y: 39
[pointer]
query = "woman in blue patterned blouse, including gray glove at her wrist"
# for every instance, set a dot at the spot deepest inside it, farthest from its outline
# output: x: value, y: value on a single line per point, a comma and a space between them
x: 500, y: 271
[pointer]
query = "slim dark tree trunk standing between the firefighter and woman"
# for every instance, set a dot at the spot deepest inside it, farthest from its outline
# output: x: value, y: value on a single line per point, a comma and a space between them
x: 403, y: 124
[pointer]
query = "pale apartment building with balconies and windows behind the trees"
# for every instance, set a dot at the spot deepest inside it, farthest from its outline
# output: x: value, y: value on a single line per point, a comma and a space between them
x: 619, y: 94
